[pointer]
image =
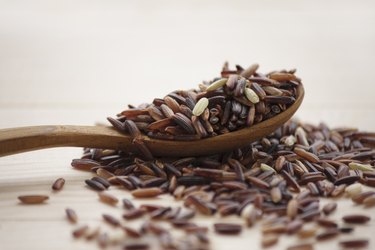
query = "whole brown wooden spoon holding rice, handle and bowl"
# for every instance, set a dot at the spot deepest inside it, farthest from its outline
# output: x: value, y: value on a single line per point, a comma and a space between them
x: 17, y: 140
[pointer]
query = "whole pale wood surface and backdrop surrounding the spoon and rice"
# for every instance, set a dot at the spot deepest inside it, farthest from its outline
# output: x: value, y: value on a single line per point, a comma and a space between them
x: 77, y: 62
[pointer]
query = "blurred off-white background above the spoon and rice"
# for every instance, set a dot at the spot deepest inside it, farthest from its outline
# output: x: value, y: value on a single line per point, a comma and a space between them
x: 105, y: 54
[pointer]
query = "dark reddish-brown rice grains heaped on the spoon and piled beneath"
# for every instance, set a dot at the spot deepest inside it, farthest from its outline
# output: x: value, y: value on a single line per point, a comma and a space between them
x: 276, y: 181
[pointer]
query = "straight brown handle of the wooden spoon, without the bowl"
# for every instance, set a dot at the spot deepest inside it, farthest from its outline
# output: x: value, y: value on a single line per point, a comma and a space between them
x: 17, y: 140
